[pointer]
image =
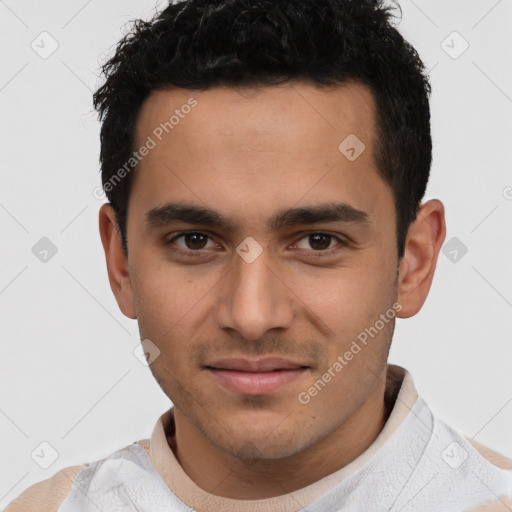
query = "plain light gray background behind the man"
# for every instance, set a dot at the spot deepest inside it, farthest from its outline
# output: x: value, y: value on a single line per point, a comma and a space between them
x: 68, y: 373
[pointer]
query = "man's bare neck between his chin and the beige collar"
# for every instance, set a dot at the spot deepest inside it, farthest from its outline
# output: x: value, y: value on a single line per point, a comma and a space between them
x: 223, y: 475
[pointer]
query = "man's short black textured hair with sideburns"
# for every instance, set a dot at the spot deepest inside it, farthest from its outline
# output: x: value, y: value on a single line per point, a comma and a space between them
x: 200, y: 44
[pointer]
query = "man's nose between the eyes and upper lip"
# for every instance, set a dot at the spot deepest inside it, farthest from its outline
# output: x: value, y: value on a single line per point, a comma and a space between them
x: 253, y: 299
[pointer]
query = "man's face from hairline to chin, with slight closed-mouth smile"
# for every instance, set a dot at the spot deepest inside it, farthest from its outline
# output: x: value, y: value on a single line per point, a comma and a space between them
x: 259, y: 252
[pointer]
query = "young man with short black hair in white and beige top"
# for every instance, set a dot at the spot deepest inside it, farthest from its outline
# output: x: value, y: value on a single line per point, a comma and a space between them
x: 265, y: 163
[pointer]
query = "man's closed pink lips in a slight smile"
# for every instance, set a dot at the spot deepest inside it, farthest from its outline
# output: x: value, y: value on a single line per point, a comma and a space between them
x: 255, y: 377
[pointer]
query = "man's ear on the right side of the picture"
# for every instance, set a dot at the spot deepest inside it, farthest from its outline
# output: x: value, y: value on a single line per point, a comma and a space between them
x: 423, y: 243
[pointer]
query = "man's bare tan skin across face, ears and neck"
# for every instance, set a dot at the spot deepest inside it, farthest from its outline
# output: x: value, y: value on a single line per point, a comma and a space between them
x: 249, y: 154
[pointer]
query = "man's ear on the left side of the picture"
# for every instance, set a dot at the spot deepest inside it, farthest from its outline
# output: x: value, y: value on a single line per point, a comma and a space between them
x: 117, y: 263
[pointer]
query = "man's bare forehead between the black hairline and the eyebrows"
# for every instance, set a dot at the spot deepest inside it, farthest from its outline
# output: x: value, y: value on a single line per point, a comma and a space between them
x: 256, y: 150
